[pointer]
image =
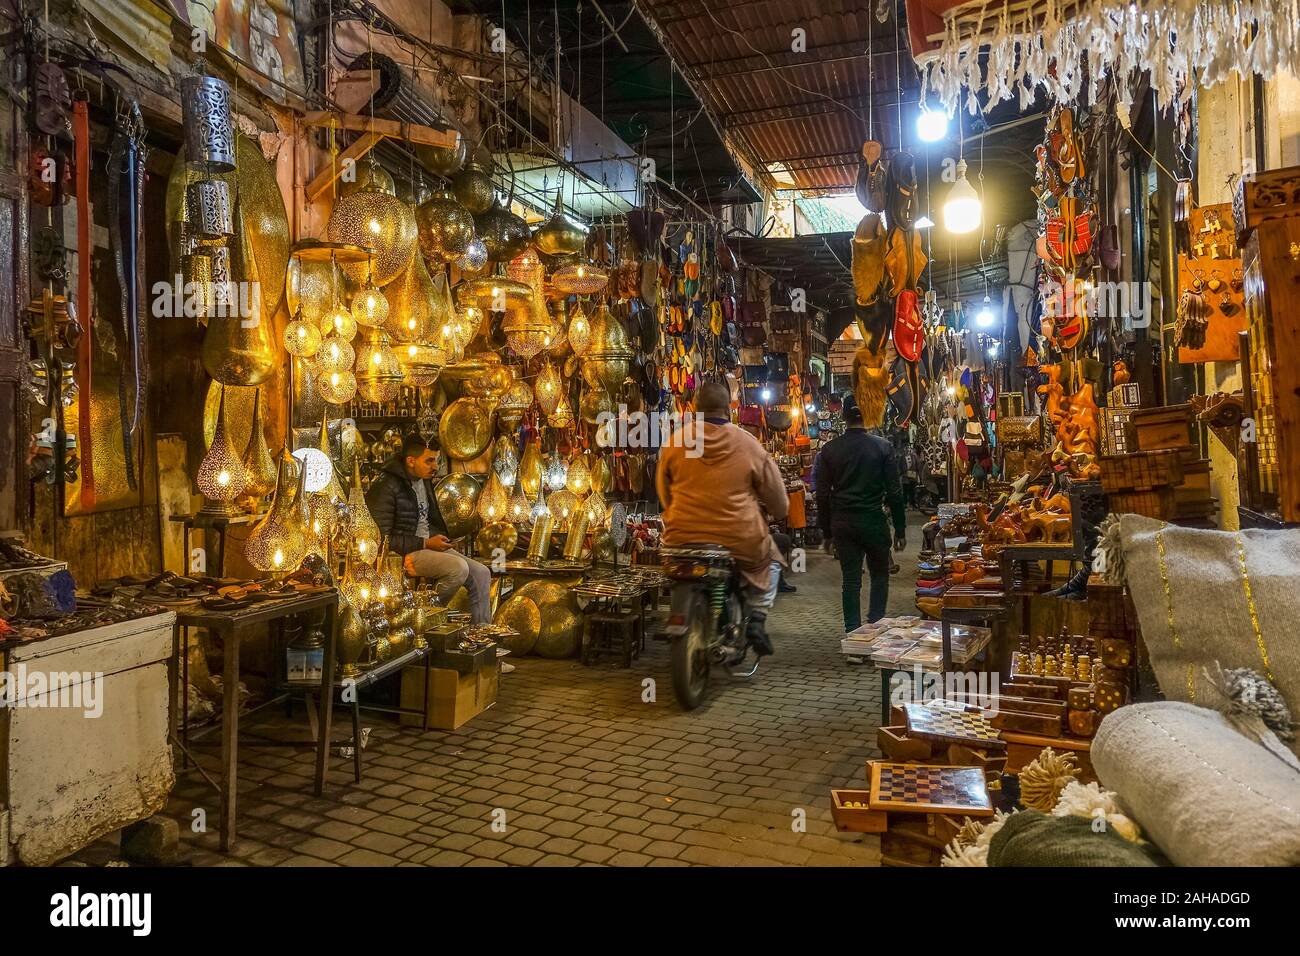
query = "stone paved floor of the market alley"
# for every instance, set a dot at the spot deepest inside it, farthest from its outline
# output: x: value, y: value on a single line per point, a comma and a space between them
x: 587, y: 773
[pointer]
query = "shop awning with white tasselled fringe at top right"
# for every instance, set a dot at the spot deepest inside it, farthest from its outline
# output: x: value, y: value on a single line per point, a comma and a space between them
x: 999, y: 51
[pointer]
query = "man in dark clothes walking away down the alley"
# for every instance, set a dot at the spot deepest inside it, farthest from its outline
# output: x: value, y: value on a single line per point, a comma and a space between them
x: 856, y: 475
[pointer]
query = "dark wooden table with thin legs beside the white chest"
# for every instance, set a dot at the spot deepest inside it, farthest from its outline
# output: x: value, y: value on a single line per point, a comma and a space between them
x: 232, y: 628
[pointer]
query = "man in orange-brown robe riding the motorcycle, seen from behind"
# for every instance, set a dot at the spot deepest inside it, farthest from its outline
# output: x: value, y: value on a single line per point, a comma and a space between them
x: 714, y: 482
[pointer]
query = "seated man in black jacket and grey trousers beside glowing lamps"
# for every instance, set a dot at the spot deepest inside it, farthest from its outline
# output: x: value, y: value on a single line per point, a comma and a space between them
x: 404, y: 505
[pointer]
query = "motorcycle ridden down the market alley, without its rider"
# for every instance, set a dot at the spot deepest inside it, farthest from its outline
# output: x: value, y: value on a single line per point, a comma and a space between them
x: 707, y: 618
